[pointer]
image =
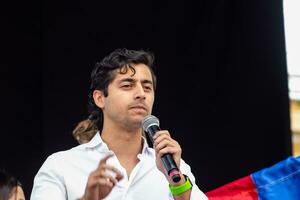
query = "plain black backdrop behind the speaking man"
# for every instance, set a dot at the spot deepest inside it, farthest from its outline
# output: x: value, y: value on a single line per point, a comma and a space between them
x: 222, y: 79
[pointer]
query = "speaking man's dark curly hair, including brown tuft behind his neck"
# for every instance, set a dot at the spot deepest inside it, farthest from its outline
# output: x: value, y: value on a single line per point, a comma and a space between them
x: 101, y: 76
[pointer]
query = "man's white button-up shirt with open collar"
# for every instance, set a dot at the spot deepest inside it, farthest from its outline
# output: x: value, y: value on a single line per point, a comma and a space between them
x: 64, y: 175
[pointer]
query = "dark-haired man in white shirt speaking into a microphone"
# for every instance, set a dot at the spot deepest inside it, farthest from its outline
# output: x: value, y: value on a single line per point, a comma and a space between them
x: 114, y: 161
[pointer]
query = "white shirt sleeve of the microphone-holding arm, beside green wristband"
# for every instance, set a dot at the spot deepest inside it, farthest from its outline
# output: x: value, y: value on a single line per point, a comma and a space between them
x: 196, y: 193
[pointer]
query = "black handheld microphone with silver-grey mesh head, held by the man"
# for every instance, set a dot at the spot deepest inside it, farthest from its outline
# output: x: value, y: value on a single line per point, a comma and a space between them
x: 151, y: 126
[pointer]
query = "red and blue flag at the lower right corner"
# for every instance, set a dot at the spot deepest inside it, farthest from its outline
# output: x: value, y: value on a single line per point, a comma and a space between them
x: 278, y: 182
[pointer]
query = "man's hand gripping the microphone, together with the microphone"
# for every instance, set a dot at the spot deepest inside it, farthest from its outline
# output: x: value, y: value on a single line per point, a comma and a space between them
x: 168, y: 151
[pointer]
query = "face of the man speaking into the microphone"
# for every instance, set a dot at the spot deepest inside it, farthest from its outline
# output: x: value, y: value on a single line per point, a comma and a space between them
x: 130, y: 97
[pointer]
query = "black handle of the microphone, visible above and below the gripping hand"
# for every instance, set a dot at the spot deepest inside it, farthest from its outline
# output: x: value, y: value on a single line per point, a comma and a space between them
x: 167, y: 159
